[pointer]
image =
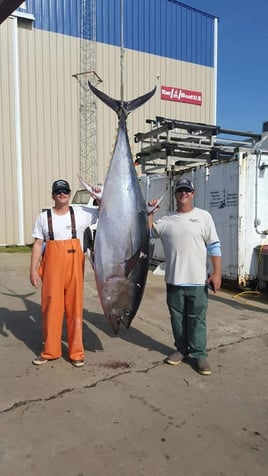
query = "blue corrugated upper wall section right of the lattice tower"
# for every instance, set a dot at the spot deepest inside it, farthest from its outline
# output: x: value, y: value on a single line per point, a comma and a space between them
x: 160, y: 27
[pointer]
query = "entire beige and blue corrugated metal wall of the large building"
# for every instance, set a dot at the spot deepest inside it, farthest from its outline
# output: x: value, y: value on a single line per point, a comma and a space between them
x: 178, y: 51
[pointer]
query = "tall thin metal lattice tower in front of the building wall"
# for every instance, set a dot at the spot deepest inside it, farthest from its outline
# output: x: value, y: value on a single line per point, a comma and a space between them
x: 88, y: 108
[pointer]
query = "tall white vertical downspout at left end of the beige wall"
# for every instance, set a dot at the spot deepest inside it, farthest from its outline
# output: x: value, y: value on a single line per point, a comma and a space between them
x: 21, y: 239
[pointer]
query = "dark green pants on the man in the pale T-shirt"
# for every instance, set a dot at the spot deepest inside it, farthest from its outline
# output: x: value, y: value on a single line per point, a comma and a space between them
x: 188, y: 307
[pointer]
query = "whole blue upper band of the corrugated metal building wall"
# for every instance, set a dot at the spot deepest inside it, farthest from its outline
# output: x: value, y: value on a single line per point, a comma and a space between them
x: 160, y: 27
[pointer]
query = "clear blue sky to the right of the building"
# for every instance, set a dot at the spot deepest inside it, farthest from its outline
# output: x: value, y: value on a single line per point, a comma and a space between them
x: 242, y: 98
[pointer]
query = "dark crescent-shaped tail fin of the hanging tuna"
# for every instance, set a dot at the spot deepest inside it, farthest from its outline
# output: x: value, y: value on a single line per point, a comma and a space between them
x: 116, y: 104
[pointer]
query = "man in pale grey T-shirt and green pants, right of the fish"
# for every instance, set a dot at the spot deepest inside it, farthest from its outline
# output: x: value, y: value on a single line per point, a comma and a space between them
x: 188, y: 235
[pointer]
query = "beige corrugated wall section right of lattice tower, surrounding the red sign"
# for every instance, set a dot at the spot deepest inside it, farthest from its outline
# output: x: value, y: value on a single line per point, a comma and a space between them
x: 141, y: 72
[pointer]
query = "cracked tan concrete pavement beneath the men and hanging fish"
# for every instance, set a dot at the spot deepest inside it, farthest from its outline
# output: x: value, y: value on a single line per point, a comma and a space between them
x: 126, y: 412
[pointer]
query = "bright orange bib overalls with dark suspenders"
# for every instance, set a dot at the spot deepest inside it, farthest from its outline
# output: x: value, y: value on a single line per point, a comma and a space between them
x: 62, y: 273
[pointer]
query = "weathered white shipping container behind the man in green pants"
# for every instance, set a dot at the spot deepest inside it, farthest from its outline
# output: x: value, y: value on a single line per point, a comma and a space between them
x: 235, y: 192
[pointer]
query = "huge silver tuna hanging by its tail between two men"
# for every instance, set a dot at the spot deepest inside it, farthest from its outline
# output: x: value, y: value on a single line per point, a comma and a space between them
x: 121, y: 248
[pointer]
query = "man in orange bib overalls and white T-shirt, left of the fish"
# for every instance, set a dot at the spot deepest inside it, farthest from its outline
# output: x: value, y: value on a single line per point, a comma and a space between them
x: 61, y: 268
